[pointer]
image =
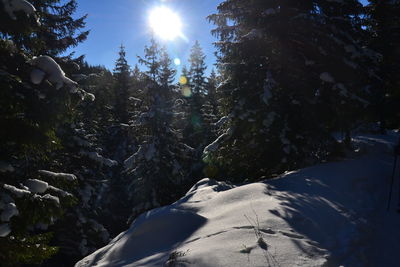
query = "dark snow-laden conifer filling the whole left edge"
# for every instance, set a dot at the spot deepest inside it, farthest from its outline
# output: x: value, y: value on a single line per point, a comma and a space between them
x: 37, y: 97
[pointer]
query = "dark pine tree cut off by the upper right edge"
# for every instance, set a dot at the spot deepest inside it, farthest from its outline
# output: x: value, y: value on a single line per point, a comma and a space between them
x: 382, y: 27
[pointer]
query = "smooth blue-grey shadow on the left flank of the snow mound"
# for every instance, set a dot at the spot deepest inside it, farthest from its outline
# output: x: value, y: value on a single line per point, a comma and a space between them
x: 151, y: 238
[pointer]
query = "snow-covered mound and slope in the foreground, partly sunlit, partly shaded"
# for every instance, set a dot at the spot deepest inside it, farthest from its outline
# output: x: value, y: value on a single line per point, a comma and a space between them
x: 332, y: 214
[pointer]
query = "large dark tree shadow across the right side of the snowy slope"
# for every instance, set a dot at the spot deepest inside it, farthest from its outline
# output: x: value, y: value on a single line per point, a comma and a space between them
x: 329, y: 204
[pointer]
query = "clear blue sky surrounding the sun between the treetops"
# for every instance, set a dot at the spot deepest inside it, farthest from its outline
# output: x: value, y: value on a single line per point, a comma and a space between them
x: 126, y: 21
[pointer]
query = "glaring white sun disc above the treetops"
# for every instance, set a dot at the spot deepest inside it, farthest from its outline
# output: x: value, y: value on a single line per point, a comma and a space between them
x: 165, y: 23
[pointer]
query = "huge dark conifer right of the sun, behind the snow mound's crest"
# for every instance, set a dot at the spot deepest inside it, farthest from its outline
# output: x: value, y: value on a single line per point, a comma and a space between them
x: 291, y: 76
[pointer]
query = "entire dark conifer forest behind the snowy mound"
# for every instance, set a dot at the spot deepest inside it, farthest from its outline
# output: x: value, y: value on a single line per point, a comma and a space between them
x: 85, y: 150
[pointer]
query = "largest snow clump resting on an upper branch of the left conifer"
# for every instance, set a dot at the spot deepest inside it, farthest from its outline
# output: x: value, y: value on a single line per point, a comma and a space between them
x: 53, y: 71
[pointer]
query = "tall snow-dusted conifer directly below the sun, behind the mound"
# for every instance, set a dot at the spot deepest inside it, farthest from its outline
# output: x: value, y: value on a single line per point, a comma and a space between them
x: 155, y: 174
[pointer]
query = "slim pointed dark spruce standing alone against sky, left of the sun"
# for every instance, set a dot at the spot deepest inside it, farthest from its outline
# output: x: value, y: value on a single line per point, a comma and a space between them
x: 122, y: 86
